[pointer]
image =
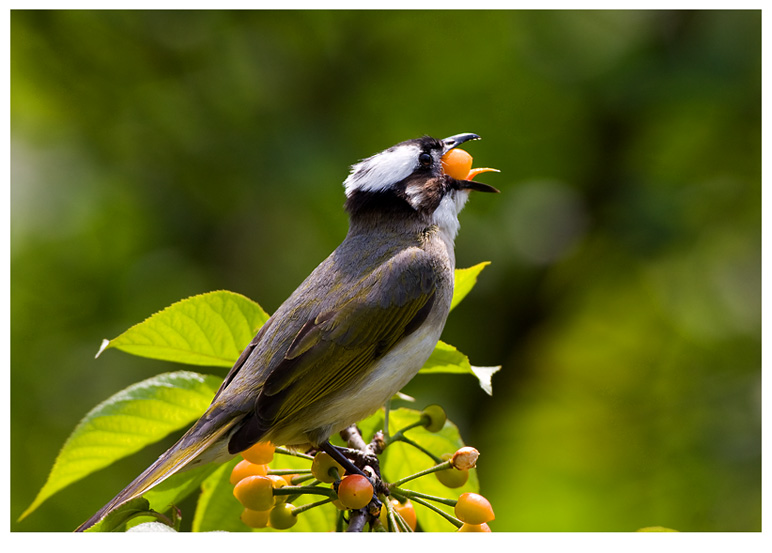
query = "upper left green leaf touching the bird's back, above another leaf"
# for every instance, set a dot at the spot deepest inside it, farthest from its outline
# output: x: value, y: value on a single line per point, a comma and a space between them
x: 209, y: 329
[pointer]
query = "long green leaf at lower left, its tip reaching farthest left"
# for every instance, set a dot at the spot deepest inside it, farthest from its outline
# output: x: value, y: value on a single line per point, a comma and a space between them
x: 135, y: 417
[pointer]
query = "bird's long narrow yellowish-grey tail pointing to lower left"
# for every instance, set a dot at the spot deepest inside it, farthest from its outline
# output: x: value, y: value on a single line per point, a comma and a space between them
x: 187, y: 450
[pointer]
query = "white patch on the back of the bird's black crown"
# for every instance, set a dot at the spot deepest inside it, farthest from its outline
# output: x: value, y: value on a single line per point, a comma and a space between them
x: 383, y: 170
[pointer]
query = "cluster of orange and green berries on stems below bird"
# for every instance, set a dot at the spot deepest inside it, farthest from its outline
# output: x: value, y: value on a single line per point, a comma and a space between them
x: 267, y: 495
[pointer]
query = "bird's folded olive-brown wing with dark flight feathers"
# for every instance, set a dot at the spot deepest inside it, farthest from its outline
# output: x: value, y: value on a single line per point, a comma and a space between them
x: 342, y: 341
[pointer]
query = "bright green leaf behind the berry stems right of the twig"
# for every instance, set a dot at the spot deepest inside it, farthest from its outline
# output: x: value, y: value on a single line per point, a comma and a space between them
x: 400, y: 460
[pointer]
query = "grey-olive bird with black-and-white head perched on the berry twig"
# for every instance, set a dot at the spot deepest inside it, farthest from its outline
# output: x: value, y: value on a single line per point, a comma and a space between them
x: 354, y: 332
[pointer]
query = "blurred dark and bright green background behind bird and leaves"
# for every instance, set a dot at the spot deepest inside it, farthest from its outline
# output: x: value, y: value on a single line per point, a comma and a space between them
x: 156, y: 155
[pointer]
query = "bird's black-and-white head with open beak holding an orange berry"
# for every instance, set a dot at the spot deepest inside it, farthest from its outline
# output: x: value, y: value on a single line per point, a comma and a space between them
x: 415, y: 177
